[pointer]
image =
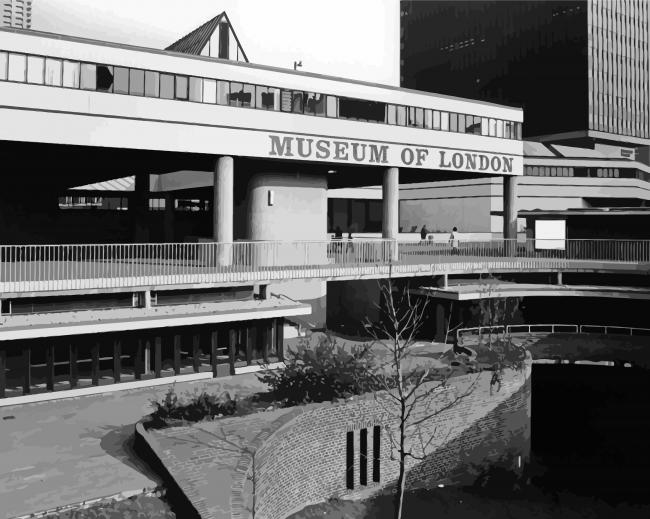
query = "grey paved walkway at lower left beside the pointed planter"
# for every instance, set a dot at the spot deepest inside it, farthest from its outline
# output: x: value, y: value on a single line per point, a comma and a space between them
x: 67, y: 451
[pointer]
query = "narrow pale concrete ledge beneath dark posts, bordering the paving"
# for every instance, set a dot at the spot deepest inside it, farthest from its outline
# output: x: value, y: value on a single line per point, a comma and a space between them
x: 97, y: 390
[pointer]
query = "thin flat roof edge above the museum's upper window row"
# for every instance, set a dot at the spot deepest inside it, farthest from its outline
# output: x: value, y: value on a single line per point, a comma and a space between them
x: 77, y: 39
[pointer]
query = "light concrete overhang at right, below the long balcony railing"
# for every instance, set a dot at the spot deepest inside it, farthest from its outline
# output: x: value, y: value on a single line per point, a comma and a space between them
x: 474, y: 291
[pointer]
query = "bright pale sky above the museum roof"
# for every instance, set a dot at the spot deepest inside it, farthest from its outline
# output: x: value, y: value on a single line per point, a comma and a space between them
x: 356, y: 39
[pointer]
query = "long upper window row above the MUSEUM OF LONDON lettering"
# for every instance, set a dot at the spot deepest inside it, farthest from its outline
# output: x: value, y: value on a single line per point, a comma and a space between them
x: 123, y: 80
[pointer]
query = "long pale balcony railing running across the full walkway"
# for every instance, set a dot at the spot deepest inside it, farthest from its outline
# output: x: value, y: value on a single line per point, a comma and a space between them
x: 41, y: 268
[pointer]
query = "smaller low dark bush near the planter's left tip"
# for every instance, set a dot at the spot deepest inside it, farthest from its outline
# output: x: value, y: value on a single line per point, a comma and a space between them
x: 199, y: 407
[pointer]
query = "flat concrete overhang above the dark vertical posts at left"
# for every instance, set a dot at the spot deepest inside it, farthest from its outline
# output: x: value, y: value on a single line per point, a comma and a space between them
x: 31, y: 326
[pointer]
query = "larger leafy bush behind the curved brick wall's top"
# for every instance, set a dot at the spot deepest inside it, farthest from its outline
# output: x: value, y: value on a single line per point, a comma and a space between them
x: 323, y: 373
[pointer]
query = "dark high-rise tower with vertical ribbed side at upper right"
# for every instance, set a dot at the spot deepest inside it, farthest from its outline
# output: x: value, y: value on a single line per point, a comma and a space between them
x: 579, y: 68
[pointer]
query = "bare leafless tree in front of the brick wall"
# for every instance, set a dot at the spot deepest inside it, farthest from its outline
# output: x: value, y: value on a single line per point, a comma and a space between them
x: 410, y: 394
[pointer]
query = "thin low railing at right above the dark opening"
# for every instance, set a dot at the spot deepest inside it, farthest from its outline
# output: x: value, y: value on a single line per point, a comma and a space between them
x: 552, y: 328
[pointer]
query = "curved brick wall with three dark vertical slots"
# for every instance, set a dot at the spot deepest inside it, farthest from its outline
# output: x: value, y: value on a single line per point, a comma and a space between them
x: 304, y: 461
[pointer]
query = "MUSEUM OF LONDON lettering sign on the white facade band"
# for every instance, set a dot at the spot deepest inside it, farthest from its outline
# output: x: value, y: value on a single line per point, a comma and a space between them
x: 353, y: 152
